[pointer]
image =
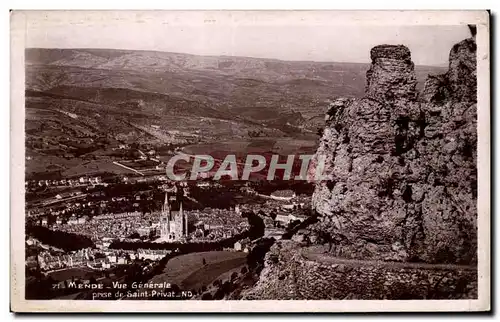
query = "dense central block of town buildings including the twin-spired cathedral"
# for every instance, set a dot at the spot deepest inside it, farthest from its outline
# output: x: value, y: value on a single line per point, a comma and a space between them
x: 172, y: 224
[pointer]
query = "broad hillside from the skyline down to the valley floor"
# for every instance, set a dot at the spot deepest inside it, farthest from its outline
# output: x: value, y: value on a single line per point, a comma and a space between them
x: 79, y: 102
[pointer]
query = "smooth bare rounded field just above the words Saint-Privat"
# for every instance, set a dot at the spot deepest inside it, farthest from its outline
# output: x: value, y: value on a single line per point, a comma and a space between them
x: 188, y: 271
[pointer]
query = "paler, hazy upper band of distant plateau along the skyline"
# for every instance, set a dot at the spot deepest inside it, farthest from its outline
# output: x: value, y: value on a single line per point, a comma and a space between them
x: 236, y: 84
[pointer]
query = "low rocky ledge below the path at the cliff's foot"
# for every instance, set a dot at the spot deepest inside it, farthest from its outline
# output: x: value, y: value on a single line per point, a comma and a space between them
x: 290, y: 275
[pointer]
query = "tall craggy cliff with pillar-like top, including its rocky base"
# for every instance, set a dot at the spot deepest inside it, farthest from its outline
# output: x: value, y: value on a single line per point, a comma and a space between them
x: 401, y: 182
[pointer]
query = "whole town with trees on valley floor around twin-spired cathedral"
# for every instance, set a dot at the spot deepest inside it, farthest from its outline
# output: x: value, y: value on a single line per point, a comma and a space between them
x: 90, y: 226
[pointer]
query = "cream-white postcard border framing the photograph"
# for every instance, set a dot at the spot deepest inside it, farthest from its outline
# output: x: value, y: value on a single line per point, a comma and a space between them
x: 19, y: 19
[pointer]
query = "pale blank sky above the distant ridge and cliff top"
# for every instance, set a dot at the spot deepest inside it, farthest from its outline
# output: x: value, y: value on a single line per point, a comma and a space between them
x: 317, y: 40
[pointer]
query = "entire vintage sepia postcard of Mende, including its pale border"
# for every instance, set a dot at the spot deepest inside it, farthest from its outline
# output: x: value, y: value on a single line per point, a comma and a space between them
x: 250, y: 161
